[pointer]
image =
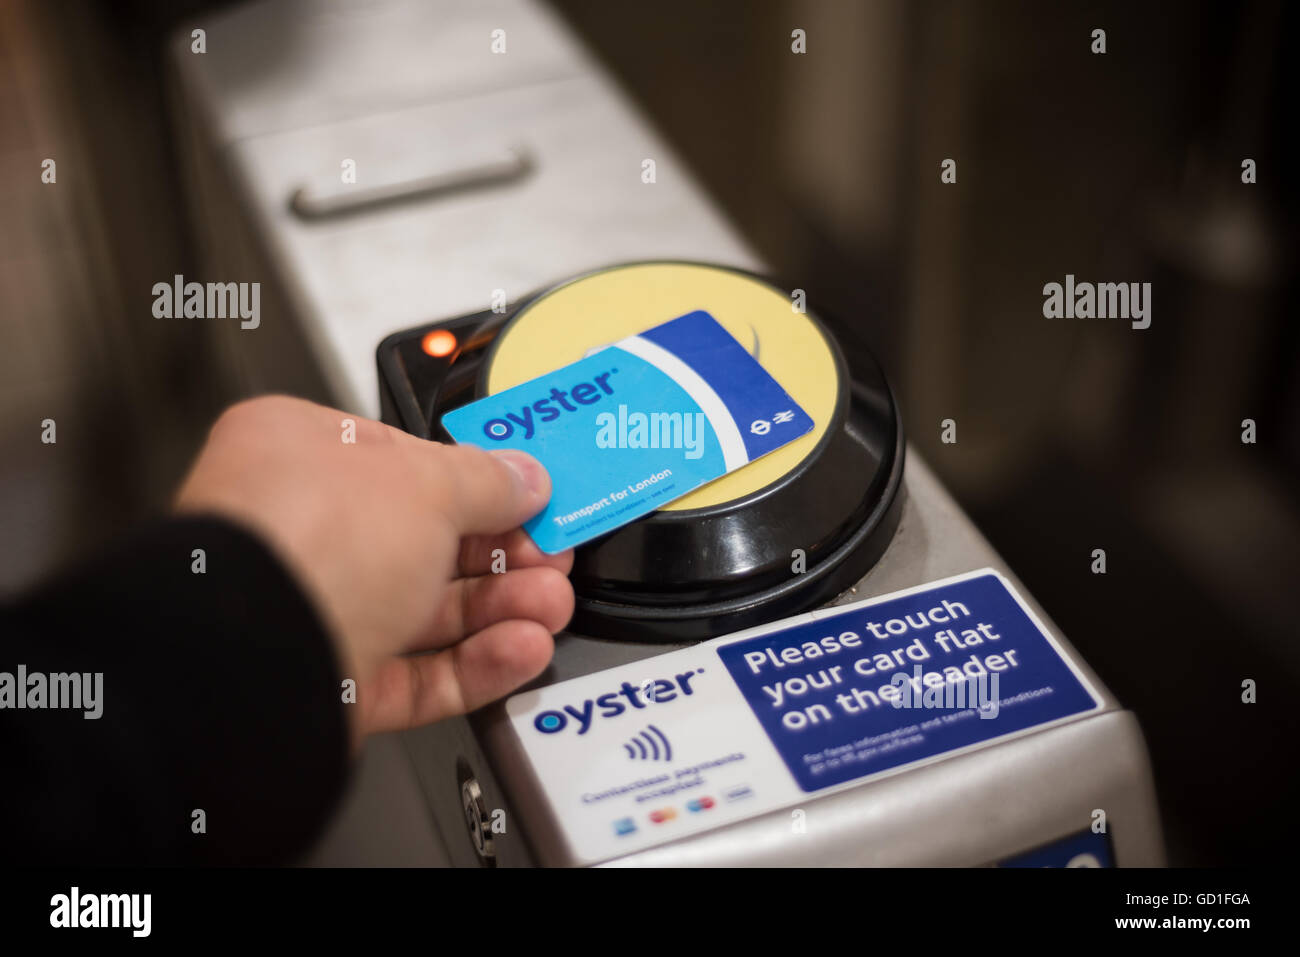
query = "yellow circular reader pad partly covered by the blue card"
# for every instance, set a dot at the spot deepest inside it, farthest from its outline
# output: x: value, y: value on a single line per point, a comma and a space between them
x: 562, y: 326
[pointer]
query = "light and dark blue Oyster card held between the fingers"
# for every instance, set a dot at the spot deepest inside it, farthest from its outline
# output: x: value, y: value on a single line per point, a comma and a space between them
x: 636, y: 426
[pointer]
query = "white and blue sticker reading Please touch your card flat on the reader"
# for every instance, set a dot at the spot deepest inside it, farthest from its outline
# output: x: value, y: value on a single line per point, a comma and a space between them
x: 744, y: 725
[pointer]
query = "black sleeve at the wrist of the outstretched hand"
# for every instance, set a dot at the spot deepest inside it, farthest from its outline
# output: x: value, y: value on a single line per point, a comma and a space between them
x: 220, y: 694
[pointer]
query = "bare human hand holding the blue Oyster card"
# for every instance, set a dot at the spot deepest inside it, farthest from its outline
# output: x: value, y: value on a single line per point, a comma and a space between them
x: 393, y: 539
